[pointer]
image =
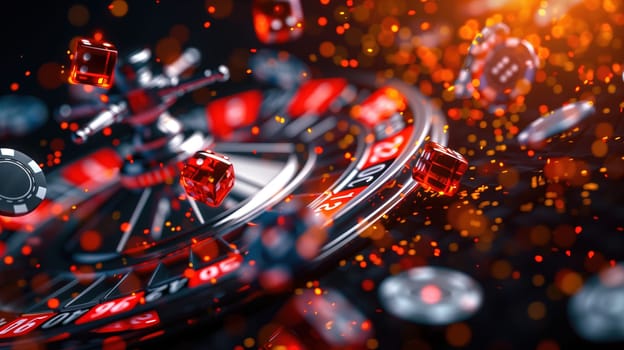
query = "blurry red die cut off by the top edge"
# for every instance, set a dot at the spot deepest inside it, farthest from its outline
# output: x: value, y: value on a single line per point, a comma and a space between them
x: 277, y: 21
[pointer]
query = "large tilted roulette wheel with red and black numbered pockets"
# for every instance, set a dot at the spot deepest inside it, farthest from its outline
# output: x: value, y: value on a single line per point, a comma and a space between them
x: 110, y: 262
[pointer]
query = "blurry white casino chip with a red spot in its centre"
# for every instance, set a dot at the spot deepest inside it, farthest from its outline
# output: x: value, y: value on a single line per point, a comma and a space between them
x: 431, y: 295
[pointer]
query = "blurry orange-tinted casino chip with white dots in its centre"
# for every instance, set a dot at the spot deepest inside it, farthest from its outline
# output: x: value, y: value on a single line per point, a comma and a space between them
x: 501, y: 67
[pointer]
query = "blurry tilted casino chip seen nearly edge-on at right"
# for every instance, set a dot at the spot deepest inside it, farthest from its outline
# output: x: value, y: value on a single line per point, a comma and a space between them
x: 555, y: 122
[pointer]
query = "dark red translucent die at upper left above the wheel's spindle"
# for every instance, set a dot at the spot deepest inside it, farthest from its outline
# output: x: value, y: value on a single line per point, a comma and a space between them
x: 93, y: 63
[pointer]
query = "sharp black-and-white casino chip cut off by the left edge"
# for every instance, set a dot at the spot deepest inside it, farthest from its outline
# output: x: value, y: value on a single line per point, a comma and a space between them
x: 23, y: 186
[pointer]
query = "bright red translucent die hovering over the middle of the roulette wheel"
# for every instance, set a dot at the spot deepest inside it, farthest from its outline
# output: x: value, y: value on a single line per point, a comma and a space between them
x: 208, y: 177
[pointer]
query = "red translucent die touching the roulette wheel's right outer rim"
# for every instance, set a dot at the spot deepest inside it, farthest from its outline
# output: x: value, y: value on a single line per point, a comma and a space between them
x: 439, y: 169
